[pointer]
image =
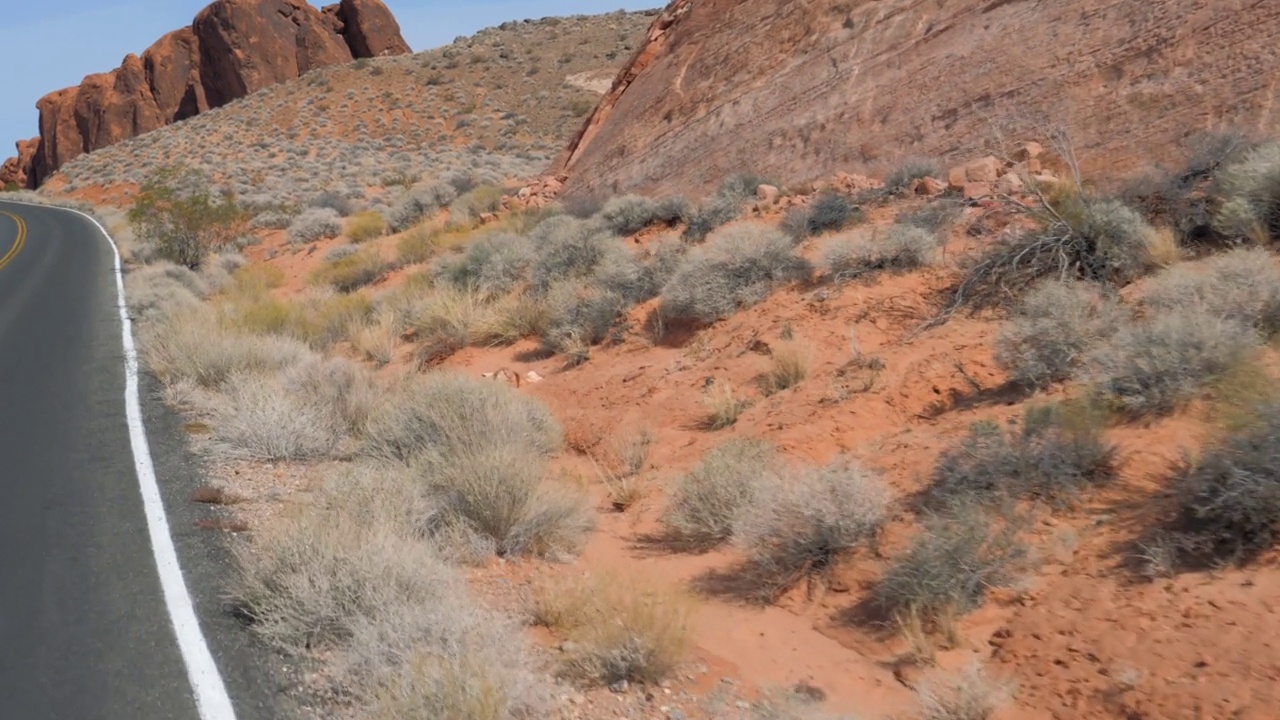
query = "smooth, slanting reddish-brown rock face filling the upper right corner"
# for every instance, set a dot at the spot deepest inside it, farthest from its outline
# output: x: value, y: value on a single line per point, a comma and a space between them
x: 802, y: 89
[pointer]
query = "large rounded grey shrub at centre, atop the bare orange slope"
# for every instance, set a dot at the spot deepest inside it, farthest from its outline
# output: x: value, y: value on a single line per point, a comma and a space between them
x: 735, y: 270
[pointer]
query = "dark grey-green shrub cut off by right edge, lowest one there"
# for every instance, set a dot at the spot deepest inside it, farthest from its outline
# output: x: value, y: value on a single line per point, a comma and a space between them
x: 1229, y: 498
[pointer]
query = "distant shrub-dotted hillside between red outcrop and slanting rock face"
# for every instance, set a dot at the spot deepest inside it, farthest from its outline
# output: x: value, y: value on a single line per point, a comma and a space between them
x: 499, y: 104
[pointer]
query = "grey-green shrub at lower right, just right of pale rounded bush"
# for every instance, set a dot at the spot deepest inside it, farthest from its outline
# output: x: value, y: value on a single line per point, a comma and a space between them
x: 959, y: 555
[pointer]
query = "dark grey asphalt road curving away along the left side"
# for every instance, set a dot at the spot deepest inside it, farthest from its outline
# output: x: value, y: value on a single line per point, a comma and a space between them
x: 85, y: 632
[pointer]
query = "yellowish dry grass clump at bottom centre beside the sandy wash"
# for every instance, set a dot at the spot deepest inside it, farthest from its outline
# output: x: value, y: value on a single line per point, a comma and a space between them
x: 618, y: 628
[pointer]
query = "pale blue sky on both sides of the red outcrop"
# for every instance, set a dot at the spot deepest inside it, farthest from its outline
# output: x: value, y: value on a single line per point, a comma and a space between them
x: 53, y: 44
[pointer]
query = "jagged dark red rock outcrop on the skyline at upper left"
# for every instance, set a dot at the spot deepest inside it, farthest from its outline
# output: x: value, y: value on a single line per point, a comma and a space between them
x: 234, y: 48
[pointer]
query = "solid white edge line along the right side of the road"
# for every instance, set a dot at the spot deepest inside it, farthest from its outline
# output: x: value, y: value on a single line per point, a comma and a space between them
x: 207, y: 683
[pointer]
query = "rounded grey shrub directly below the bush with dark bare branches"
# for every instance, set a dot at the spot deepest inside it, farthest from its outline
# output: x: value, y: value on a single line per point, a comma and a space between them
x: 1053, y: 330
